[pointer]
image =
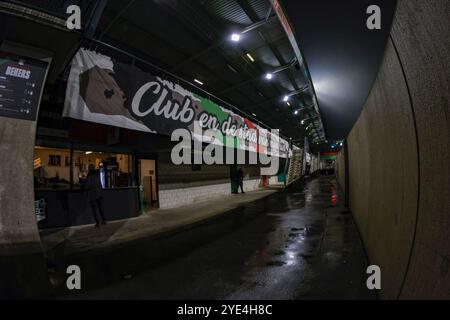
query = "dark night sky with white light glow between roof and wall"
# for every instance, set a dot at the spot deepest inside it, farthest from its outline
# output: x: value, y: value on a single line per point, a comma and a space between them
x: 343, y: 56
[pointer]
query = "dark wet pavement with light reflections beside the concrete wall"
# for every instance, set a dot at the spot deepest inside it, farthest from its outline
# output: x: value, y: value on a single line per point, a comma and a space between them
x: 297, y: 244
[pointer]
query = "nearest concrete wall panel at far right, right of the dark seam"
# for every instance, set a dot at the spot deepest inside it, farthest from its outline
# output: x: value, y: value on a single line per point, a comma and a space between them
x: 421, y: 35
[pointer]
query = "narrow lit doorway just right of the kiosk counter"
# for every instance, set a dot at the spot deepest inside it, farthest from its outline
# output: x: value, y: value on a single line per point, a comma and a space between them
x: 147, y: 179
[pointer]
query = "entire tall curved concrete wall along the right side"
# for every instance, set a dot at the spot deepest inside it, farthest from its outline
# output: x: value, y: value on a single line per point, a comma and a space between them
x: 398, y: 157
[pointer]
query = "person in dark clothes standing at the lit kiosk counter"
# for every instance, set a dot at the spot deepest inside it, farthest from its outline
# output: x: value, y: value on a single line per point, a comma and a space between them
x: 94, y: 189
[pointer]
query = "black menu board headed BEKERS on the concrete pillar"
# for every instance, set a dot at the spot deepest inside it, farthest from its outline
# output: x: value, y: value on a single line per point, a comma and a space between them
x: 21, y: 82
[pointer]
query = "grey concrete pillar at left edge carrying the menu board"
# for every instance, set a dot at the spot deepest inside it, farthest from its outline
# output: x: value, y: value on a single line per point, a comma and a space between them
x: 22, y: 265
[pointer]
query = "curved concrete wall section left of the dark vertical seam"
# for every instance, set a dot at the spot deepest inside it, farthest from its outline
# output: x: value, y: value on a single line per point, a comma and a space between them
x: 383, y: 172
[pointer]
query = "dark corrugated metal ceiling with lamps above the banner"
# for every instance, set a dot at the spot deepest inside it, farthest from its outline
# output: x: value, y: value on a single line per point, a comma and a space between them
x: 191, y: 38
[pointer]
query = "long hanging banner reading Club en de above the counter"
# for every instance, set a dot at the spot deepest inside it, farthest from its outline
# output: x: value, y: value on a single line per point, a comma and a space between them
x: 105, y: 91
